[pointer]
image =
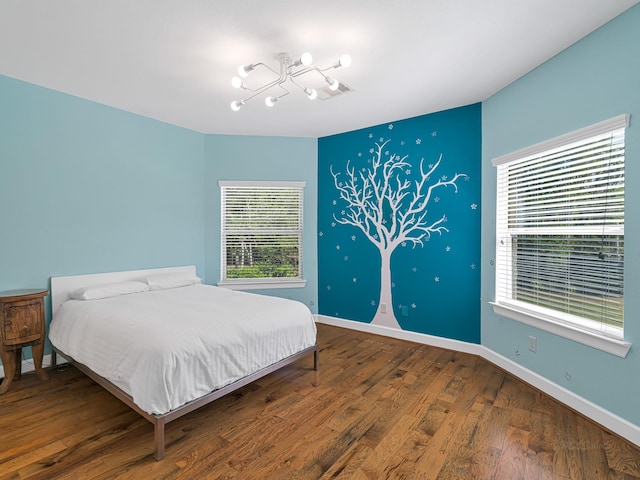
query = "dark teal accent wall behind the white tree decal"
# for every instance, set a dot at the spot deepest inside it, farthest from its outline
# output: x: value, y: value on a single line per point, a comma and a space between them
x: 435, y: 282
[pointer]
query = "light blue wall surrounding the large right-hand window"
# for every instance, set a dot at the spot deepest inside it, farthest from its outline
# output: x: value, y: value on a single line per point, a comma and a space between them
x: 596, y: 79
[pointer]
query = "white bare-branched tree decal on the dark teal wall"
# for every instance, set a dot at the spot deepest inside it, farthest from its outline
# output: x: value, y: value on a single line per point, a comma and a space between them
x: 390, y: 210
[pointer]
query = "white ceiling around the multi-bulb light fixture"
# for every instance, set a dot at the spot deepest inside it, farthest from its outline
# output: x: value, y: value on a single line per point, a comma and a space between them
x: 173, y: 60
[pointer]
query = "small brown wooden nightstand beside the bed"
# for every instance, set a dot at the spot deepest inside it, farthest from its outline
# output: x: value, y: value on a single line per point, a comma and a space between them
x: 21, y: 325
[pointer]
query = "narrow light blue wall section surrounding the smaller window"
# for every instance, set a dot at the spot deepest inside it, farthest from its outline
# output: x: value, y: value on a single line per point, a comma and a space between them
x: 229, y: 157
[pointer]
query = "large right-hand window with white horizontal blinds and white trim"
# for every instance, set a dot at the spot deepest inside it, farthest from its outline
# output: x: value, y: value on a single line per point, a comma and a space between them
x: 560, y: 234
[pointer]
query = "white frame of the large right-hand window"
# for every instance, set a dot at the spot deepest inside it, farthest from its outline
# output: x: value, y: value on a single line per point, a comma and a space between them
x: 529, y: 313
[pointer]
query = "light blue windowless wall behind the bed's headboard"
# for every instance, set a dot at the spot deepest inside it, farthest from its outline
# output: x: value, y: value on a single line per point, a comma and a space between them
x: 87, y: 188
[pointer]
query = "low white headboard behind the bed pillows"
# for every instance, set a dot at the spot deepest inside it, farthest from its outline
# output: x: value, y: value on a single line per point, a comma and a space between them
x: 62, y: 286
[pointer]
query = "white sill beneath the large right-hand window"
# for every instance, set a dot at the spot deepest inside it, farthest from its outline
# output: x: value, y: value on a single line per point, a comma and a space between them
x: 614, y: 346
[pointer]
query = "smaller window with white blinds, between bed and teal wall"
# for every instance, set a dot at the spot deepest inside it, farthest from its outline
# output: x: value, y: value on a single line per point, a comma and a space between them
x: 262, y: 234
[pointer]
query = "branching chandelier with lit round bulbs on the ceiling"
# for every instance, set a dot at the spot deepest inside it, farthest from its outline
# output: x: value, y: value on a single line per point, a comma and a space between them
x: 290, y: 71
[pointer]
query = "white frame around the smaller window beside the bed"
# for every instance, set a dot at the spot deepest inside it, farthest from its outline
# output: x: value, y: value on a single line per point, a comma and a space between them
x: 269, y: 282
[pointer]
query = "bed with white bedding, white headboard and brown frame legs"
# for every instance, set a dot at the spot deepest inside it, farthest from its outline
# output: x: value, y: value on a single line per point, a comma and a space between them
x: 165, y: 344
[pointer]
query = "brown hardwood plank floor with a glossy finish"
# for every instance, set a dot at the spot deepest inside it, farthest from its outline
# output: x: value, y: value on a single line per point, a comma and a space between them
x: 383, y: 408
